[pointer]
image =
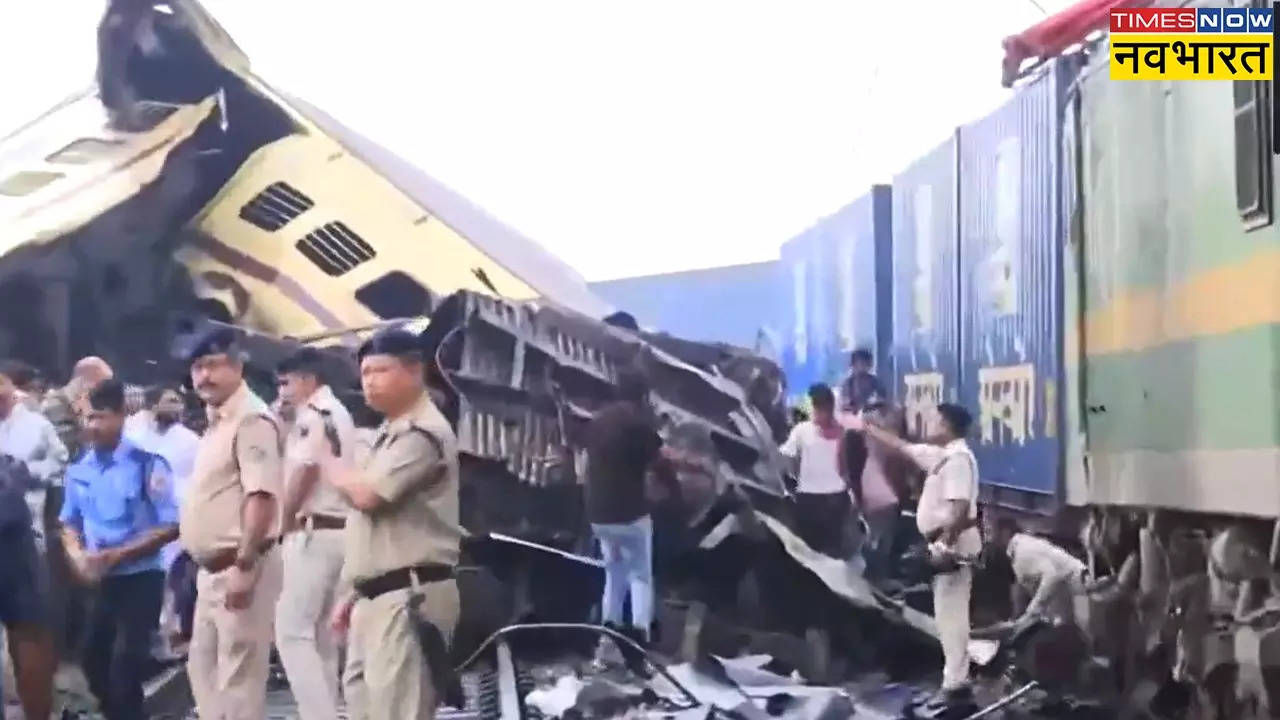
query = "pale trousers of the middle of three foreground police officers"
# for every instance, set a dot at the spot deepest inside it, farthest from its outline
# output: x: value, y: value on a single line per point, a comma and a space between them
x: 309, y: 649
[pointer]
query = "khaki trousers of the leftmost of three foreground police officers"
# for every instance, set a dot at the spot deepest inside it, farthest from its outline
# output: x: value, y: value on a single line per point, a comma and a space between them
x: 231, y: 650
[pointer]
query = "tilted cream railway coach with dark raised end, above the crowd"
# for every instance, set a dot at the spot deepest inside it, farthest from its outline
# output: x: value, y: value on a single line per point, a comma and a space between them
x: 231, y: 199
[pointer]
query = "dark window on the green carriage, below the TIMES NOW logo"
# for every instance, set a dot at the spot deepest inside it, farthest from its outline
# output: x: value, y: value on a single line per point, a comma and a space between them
x: 1254, y: 162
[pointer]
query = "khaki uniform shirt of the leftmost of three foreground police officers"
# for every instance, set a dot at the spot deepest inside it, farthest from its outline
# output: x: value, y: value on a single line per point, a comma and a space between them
x: 239, y: 455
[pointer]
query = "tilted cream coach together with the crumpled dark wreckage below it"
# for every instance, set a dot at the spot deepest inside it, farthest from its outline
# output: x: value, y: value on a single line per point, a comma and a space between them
x: 226, y: 200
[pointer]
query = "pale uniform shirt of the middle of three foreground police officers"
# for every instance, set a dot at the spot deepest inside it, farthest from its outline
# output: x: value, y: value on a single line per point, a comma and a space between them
x: 308, y: 444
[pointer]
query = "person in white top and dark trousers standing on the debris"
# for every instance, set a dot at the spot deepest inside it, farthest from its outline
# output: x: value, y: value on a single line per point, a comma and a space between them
x: 824, y: 503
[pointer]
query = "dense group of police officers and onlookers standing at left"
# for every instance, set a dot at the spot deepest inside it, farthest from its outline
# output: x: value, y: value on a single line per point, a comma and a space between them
x: 257, y: 527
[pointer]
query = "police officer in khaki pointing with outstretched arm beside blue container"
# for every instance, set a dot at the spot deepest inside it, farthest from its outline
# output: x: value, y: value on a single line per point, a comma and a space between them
x: 948, y: 518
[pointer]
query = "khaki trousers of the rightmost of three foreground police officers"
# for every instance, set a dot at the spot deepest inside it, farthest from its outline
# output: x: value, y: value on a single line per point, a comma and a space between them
x: 387, y: 675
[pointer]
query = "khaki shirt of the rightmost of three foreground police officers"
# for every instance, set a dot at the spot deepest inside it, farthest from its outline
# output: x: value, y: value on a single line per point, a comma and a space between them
x: 414, y: 468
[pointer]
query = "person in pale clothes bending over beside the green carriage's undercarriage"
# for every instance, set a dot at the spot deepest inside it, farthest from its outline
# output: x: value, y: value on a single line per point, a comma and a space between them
x: 1045, y: 573
